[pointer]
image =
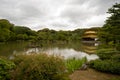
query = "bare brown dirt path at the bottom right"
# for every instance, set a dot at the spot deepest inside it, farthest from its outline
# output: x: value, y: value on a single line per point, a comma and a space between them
x: 91, y: 74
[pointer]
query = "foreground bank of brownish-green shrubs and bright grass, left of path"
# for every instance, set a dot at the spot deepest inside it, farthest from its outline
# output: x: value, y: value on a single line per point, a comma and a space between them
x: 38, y: 67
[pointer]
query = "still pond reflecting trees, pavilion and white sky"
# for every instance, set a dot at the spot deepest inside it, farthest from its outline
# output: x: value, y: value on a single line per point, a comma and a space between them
x: 67, y: 50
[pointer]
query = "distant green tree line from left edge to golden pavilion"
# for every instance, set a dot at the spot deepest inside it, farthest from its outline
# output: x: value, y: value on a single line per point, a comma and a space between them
x: 10, y: 32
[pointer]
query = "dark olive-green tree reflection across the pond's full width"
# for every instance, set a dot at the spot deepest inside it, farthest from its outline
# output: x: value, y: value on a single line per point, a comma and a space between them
x: 20, y: 47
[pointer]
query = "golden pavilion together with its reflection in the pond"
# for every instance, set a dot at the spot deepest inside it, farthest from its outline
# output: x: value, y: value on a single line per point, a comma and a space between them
x: 89, y: 41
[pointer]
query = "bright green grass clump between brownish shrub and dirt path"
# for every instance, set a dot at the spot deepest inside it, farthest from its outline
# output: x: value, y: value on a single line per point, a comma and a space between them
x: 73, y: 64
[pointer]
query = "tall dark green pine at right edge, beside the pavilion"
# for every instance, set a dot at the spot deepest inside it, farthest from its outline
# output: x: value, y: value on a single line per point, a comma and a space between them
x: 111, y: 29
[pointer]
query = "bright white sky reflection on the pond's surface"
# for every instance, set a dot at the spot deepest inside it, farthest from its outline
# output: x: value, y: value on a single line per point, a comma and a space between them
x: 71, y: 53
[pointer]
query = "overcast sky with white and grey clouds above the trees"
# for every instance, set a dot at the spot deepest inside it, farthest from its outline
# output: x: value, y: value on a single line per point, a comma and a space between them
x: 56, y: 14
